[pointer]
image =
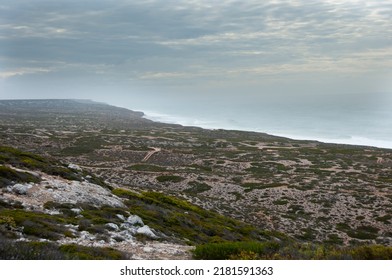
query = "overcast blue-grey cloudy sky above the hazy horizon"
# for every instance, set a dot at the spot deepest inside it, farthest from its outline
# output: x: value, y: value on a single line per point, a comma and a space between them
x: 195, y: 49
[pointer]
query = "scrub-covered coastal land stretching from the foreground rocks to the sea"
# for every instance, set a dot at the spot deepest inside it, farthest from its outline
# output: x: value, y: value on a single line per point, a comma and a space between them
x: 266, y: 188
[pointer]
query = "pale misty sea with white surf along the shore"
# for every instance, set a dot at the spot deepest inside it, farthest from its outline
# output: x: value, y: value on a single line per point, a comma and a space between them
x: 343, y: 121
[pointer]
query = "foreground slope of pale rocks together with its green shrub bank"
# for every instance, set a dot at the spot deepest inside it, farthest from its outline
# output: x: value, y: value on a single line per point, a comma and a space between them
x: 63, y: 205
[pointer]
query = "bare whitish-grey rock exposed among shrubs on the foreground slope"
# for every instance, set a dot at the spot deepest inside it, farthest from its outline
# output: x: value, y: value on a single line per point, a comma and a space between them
x: 122, y: 234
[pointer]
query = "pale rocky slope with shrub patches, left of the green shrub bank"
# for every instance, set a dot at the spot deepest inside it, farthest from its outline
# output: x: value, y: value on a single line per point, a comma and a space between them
x: 53, y: 208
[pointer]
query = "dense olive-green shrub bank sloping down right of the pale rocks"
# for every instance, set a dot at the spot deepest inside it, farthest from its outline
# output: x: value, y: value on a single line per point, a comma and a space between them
x: 181, y: 220
